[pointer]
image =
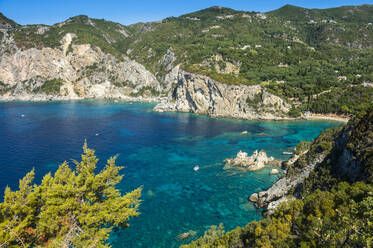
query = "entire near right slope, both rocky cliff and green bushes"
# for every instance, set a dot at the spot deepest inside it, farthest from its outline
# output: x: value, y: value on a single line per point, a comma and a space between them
x: 324, y: 199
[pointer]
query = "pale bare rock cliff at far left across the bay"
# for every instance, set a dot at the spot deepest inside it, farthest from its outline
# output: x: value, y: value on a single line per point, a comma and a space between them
x: 85, y: 72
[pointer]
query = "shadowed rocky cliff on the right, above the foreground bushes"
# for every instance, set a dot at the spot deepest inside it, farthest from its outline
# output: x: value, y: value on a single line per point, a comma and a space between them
x: 344, y: 154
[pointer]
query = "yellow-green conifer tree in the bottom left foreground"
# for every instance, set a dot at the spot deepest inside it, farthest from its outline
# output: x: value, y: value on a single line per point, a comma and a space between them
x: 69, y: 209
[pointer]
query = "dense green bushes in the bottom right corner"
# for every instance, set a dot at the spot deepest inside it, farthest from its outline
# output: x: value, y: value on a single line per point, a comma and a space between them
x: 341, y: 217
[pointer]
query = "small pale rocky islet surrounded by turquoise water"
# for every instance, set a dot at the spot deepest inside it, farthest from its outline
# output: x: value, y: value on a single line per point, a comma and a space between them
x: 256, y: 161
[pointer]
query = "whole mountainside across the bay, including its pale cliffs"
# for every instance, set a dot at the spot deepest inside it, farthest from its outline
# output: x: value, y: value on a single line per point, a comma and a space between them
x: 303, y: 59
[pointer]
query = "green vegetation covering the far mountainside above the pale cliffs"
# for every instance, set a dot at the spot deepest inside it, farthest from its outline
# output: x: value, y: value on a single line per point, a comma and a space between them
x: 317, y: 59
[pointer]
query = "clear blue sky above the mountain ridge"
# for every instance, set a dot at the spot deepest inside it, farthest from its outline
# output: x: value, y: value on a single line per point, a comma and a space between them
x: 132, y: 11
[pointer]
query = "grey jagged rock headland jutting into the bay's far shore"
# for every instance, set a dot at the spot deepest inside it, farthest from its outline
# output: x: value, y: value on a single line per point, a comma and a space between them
x: 200, y: 94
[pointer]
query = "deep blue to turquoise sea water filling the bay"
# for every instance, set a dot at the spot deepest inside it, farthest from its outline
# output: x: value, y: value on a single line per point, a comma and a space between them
x: 159, y: 151
